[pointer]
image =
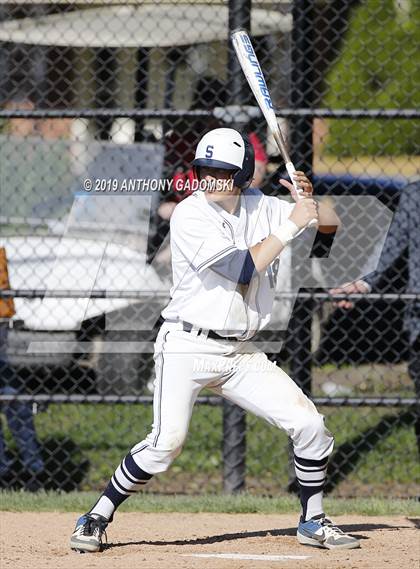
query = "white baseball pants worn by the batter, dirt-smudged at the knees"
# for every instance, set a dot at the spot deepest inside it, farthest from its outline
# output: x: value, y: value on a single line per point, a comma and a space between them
x: 186, y: 363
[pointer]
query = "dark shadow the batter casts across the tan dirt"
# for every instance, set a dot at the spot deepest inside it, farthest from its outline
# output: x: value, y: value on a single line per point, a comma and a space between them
x: 348, y: 528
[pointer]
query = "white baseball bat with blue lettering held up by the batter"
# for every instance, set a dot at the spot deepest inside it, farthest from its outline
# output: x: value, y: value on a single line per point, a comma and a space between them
x: 255, y: 77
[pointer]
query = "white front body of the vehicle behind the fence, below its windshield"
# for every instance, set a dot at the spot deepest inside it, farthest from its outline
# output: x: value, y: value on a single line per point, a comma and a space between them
x: 100, y: 336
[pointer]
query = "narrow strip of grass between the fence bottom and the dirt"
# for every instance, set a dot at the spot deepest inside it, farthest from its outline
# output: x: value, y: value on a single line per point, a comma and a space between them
x: 244, y: 503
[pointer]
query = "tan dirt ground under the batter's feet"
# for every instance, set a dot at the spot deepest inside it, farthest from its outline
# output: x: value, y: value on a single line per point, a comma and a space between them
x: 40, y: 540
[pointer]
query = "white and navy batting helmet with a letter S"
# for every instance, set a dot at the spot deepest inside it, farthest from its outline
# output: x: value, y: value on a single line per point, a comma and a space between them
x: 228, y: 149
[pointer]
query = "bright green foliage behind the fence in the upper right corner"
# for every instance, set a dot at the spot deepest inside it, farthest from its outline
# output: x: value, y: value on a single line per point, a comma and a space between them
x: 379, y: 68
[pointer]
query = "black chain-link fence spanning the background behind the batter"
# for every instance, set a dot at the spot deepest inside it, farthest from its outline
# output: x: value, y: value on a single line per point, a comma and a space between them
x: 102, y: 105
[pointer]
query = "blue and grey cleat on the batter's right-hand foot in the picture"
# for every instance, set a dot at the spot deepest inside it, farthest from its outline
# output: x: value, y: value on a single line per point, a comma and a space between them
x: 320, y: 532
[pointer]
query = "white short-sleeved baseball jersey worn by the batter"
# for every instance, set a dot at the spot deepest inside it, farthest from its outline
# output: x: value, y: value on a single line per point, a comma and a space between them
x: 201, y: 234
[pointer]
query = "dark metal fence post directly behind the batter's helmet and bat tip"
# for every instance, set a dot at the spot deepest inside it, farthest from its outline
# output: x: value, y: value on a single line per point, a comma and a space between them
x: 234, y: 419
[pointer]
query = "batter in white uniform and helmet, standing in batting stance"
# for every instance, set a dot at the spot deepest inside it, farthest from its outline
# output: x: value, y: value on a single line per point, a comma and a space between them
x: 225, y: 243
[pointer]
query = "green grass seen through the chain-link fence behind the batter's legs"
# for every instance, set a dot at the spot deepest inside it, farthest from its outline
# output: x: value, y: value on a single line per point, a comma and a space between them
x: 103, y: 434
